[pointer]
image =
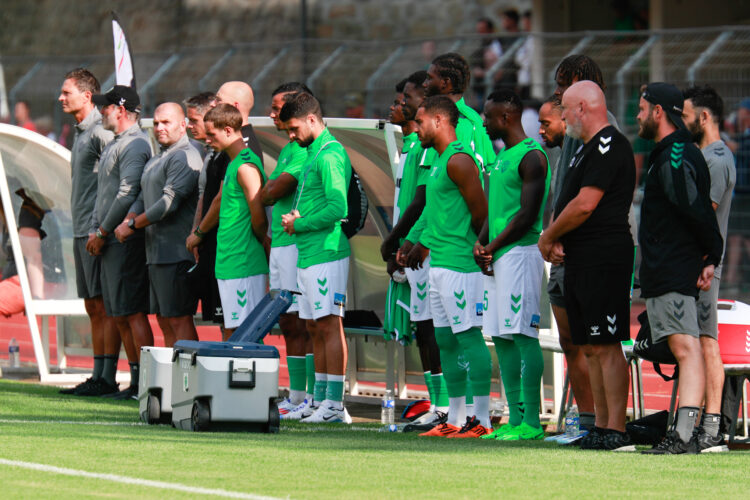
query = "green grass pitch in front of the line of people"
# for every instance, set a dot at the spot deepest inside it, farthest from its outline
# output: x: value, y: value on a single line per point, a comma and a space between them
x: 303, y: 463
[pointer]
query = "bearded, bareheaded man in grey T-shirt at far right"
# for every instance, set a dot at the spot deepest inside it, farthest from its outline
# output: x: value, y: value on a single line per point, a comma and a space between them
x: 702, y: 113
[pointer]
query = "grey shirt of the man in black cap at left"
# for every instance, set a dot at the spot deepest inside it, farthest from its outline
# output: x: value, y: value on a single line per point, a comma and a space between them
x: 120, y: 169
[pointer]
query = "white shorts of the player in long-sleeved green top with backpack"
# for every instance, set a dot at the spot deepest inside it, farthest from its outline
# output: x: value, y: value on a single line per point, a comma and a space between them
x: 323, y: 288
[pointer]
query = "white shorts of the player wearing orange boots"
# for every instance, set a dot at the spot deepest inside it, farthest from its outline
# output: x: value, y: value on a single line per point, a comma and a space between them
x: 456, y: 299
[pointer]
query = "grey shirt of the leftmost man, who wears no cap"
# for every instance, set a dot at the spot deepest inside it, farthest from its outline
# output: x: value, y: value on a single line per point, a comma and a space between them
x: 88, y: 144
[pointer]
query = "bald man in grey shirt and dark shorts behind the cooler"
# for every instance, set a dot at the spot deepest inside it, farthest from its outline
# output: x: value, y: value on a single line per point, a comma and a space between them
x: 165, y: 207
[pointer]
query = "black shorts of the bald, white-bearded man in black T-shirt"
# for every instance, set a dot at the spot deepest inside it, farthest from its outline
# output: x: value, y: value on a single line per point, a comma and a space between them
x: 598, y: 304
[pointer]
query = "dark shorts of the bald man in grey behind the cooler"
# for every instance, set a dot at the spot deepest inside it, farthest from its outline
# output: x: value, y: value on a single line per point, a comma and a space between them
x: 171, y: 292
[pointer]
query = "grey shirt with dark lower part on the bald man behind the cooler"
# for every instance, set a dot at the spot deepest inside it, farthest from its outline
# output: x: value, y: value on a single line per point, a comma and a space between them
x: 169, y: 197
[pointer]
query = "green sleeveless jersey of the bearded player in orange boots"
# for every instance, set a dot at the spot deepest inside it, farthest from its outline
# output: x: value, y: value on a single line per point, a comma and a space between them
x: 447, y: 220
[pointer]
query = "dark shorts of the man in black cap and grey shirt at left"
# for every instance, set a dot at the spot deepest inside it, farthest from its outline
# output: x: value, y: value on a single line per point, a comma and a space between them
x: 125, y: 277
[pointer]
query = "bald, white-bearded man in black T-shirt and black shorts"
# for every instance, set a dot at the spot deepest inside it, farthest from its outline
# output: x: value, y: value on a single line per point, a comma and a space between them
x: 591, y: 235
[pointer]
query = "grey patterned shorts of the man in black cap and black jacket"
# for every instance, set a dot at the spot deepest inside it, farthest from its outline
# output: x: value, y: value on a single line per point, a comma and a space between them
x: 670, y: 314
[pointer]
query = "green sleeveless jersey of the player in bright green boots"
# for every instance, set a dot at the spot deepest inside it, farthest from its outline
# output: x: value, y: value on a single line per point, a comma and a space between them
x: 505, y: 194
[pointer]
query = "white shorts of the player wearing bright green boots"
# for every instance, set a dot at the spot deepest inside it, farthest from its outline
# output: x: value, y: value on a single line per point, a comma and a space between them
x: 512, y: 295
